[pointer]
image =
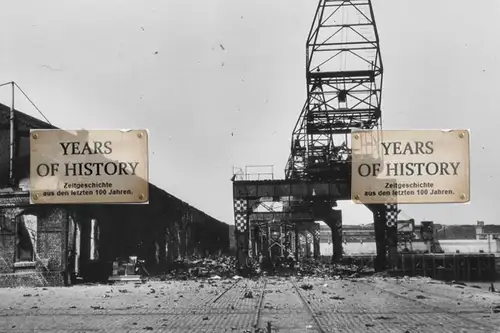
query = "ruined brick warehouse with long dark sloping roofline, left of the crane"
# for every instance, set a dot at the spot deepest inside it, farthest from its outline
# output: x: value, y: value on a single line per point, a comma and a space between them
x: 54, y: 244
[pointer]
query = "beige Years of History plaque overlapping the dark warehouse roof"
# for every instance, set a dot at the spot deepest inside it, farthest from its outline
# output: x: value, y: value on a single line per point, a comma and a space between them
x: 98, y: 166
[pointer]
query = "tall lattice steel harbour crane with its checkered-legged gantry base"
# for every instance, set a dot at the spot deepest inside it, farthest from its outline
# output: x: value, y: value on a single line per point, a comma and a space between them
x: 344, y: 90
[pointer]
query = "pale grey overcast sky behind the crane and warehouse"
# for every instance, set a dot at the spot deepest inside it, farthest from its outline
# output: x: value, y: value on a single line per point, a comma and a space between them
x: 221, y: 83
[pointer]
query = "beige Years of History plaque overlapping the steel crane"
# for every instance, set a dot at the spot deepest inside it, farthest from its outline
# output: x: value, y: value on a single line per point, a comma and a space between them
x: 410, y: 166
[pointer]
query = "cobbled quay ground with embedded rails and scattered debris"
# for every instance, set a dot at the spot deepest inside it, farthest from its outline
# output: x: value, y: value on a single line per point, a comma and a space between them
x: 349, y: 305
